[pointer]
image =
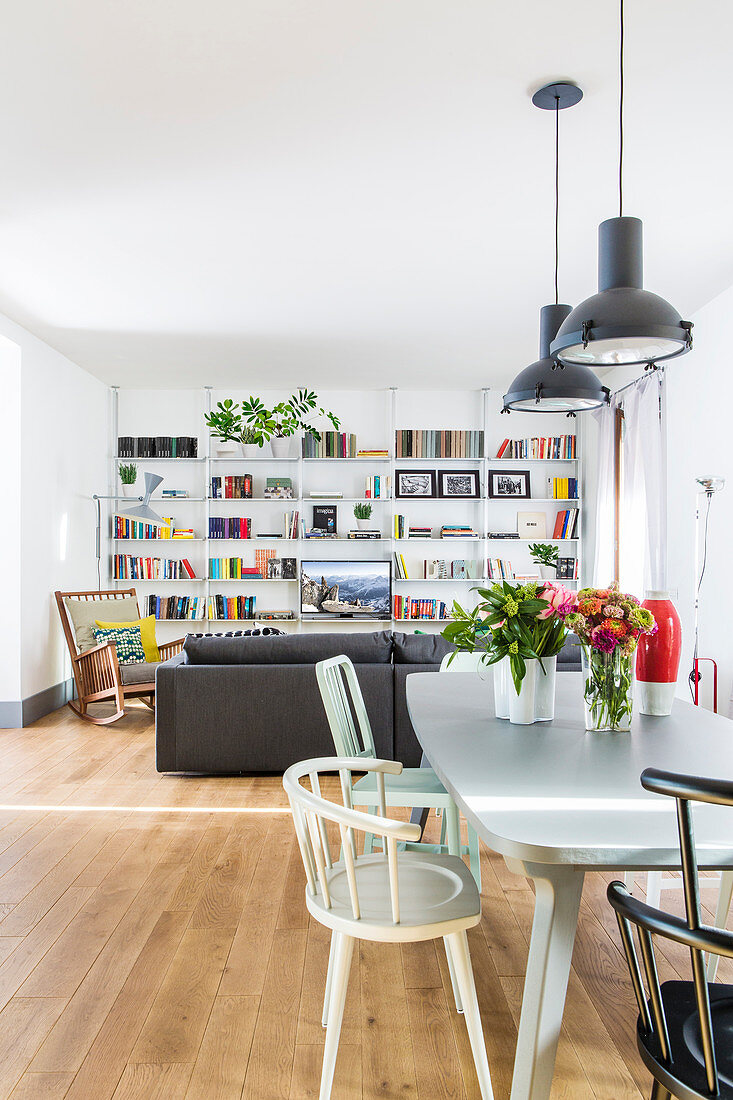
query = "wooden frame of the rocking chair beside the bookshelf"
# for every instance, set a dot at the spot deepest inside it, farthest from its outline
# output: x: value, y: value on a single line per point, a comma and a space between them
x: 97, y: 672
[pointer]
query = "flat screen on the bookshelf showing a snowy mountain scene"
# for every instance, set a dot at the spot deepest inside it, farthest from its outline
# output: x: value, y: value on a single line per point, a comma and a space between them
x: 346, y: 590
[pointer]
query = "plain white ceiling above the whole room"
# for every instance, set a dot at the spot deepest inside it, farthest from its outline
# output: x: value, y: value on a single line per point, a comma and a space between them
x: 345, y: 192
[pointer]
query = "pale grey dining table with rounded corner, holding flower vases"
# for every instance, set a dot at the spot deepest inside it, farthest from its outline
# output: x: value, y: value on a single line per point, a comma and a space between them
x: 557, y: 801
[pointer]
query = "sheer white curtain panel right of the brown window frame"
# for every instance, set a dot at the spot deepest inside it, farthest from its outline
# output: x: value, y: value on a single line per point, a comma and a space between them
x: 643, y: 563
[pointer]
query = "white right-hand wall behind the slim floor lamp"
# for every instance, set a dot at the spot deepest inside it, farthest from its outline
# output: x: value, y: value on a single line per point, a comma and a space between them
x: 701, y: 443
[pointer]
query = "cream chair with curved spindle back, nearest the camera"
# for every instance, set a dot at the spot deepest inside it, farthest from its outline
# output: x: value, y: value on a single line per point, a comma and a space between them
x: 389, y: 897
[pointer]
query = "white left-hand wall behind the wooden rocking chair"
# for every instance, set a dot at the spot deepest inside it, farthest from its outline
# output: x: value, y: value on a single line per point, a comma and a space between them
x: 63, y: 452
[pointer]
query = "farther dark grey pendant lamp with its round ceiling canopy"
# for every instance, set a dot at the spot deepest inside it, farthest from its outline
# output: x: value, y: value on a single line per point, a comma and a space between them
x: 549, y: 387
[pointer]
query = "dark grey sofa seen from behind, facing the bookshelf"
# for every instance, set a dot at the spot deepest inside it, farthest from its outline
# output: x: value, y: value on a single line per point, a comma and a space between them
x: 251, y: 705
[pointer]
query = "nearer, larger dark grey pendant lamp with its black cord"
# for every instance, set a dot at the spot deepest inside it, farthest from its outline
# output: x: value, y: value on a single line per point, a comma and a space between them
x: 622, y: 325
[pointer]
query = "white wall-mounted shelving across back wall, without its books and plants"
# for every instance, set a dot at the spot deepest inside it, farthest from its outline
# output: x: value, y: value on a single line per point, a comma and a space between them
x: 484, y: 514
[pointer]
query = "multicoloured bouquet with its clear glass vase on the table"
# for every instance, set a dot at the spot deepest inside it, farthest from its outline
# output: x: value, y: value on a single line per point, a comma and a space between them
x: 609, y: 624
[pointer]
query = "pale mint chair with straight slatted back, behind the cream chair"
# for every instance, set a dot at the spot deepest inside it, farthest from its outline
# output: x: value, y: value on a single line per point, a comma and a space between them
x: 414, y: 787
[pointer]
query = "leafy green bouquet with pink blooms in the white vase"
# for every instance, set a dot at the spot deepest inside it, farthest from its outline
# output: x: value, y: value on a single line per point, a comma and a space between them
x: 522, y: 623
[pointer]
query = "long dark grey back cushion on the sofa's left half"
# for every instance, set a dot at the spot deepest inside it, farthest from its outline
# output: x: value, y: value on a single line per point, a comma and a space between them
x: 363, y: 648
